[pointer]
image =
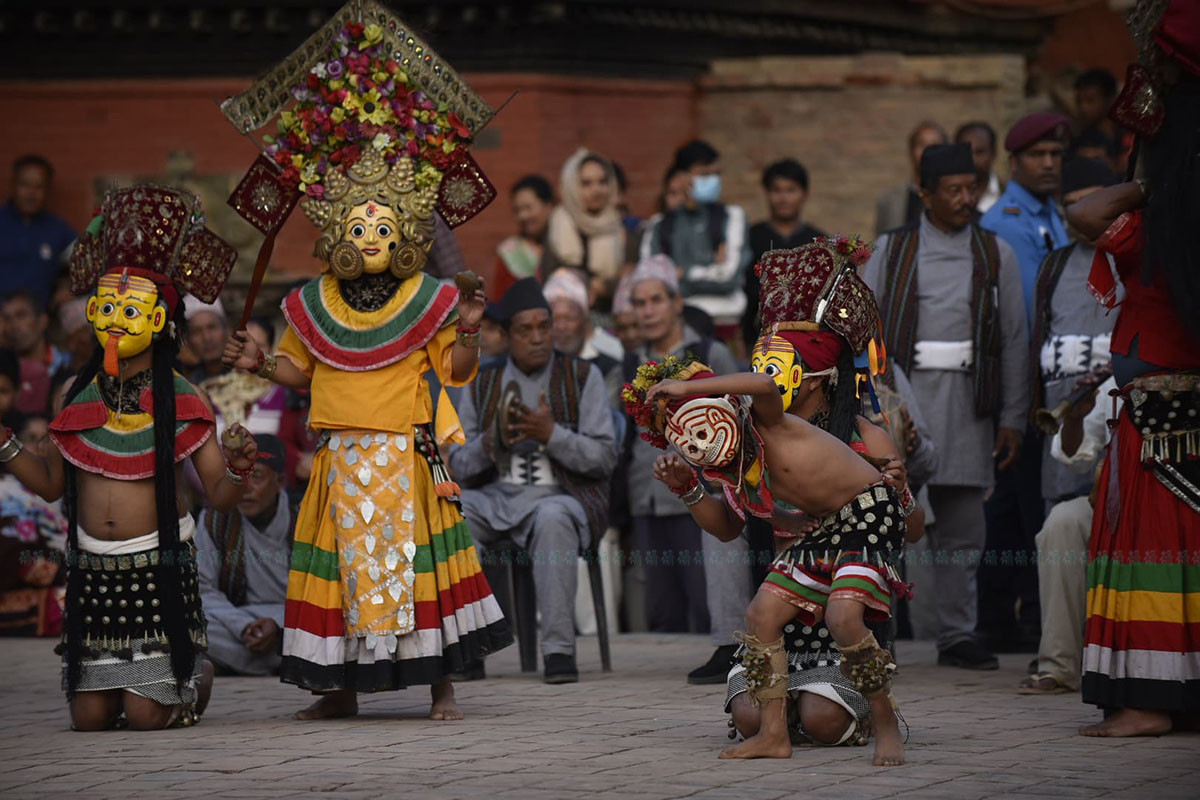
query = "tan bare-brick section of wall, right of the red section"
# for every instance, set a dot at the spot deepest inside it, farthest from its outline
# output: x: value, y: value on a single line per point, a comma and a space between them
x: 848, y: 119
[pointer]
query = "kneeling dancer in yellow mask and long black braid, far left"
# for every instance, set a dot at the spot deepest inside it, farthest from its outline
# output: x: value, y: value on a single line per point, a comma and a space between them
x: 135, y: 630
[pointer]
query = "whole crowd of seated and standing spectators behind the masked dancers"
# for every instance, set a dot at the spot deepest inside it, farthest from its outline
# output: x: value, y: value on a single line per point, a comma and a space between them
x: 585, y: 291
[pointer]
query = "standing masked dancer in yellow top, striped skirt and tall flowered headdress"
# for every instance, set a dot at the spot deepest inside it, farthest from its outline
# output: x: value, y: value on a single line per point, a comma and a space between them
x: 386, y: 590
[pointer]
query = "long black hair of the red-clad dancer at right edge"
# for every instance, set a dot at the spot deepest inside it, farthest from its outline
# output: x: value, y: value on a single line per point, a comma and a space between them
x: 1173, y: 175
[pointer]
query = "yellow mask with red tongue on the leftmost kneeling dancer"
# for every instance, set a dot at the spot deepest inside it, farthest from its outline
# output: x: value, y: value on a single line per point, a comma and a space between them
x: 125, y: 314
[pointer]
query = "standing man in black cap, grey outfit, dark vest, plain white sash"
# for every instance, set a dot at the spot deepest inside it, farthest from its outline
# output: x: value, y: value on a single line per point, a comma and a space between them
x: 963, y: 341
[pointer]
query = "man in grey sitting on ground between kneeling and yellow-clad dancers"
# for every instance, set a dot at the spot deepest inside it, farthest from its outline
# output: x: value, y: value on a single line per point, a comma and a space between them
x: 243, y: 560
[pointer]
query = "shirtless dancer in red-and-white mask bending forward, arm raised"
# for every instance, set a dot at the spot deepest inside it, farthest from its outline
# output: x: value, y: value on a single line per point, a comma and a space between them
x: 838, y: 573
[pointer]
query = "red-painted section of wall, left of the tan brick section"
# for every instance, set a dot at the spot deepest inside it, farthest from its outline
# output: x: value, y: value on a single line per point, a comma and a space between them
x: 94, y: 130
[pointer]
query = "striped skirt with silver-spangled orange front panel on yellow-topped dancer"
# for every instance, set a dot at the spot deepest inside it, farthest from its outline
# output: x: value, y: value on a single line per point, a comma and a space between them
x: 386, y: 590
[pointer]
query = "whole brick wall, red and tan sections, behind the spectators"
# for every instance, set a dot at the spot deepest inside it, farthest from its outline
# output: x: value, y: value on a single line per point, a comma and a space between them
x: 847, y: 118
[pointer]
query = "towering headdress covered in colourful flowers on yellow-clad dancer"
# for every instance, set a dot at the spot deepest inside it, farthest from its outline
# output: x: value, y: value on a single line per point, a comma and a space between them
x: 364, y: 111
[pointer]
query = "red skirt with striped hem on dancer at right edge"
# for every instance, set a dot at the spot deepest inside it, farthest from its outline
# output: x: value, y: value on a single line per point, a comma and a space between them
x: 1142, y: 646
